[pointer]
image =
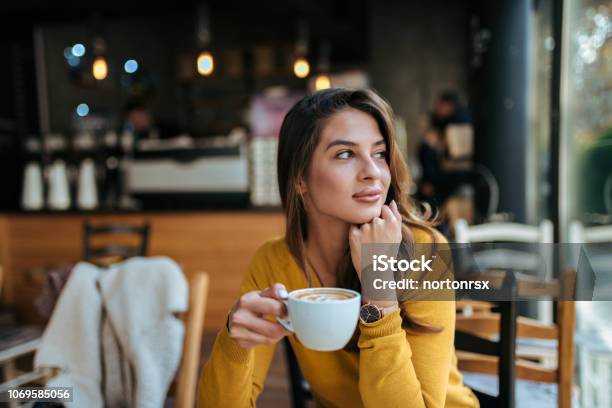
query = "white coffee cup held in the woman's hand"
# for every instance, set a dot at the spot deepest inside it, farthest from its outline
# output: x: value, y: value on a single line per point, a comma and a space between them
x: 323, y: 319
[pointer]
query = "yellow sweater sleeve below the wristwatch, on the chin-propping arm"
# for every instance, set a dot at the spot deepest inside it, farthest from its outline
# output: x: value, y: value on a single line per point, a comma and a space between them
x: 400, y: 367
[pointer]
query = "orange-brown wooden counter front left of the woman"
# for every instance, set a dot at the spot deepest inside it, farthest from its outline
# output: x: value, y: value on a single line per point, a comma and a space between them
x: 220, y: 243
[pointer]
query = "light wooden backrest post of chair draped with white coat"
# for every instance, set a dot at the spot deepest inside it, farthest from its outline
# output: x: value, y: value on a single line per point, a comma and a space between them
x: 187, y: 377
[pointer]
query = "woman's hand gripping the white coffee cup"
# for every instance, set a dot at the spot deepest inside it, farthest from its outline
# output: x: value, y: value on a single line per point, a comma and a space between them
x: 247, y: 323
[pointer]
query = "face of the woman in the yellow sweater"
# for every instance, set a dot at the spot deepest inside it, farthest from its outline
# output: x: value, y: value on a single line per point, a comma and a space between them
x: 349, y: 176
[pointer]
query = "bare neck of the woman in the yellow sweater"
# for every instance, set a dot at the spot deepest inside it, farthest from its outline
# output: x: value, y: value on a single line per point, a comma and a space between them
x: 326, y: 244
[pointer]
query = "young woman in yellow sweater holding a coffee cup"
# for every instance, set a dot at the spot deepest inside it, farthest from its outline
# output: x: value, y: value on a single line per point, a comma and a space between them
x: 342, y: 182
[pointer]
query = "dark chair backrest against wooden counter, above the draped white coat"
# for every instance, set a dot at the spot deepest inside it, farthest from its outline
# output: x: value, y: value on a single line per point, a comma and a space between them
x: 120, y: 250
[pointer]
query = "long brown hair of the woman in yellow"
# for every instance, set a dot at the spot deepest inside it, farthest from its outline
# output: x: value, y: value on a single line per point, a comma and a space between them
x: 299, y: 135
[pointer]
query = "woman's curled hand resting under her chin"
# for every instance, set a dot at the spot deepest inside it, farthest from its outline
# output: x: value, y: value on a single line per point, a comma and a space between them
x: 386, y: 229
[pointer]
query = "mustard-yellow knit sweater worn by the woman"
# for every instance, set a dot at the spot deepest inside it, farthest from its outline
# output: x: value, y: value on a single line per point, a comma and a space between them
x: 394, y: 367
